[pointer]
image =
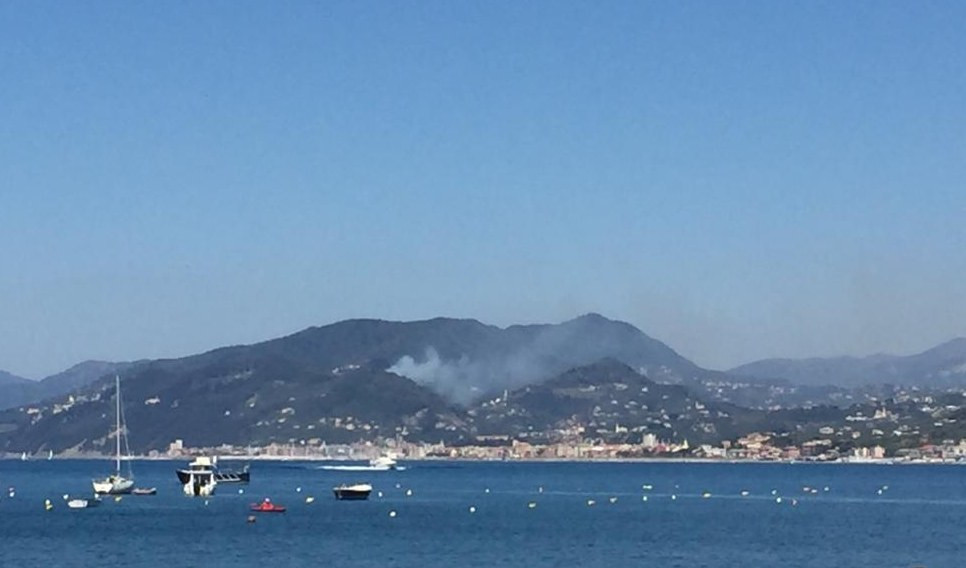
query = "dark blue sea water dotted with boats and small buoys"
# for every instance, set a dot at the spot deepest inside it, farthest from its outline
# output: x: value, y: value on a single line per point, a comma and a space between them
x: 920, y: 519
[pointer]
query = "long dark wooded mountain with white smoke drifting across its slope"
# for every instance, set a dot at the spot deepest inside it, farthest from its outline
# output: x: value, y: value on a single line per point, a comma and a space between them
x: 315, y: 382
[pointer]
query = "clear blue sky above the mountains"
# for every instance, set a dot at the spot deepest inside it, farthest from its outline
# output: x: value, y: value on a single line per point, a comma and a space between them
x: 740, y: 180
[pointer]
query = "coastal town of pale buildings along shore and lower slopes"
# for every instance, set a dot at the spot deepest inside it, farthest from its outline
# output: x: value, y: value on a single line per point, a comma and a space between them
x: 911, y: 426
